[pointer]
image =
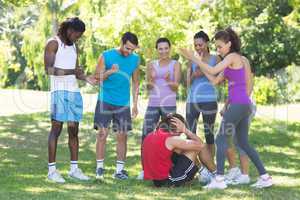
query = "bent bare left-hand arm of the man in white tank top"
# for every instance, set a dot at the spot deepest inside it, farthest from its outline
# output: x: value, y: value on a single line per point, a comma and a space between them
x: 49, y: 59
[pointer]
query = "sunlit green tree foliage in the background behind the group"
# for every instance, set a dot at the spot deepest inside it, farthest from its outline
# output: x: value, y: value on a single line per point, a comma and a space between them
x: 269, y: 32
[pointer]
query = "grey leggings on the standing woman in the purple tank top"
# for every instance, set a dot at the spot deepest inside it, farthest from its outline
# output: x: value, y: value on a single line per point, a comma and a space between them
x: 236, y: 121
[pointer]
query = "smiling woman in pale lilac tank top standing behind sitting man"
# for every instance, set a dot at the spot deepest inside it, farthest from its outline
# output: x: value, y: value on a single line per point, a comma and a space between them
x: 163, y: 76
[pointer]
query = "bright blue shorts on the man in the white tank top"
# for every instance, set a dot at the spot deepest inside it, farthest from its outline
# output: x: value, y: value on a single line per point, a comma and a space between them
x: 66, y: 106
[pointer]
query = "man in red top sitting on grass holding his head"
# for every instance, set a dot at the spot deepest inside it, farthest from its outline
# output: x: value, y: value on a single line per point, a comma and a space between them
x: 169, y: 159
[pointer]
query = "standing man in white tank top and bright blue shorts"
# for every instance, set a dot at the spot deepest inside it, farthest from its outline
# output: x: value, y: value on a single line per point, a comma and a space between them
x: 61, y: 65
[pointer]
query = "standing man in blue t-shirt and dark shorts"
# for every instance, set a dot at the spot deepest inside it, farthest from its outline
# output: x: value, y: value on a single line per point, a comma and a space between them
x: 114, y: 70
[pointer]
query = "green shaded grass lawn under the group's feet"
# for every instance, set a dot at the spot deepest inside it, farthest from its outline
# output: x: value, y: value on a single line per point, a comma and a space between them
x: 23, y: 164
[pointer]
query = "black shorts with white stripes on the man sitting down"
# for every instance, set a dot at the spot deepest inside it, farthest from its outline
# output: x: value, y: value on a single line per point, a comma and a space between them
x: 183, y: 171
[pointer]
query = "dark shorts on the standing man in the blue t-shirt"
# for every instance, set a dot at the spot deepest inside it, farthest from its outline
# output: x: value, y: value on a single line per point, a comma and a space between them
x: 119, y: 115
